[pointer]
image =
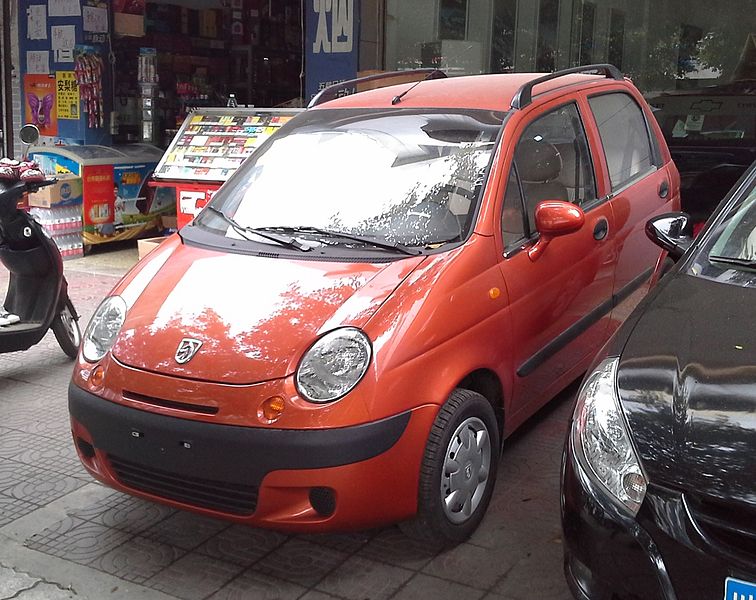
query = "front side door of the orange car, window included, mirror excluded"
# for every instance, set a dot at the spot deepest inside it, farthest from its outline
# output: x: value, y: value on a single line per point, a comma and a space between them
x: 560, y: 302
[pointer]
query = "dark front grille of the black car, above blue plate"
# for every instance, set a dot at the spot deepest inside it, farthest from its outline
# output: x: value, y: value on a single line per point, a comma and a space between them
x: 731, y: 525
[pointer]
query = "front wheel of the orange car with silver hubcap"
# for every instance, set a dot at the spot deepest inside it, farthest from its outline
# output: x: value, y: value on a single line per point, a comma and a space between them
x: 451, y: 507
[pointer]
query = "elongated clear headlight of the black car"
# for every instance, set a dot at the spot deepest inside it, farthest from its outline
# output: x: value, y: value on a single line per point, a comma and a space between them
x: 602, y: 441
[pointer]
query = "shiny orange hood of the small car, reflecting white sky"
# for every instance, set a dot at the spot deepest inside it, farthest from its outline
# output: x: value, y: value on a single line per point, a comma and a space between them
x: 254, y: 316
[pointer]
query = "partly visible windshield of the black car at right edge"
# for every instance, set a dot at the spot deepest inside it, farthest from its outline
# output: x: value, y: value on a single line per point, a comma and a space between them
x: 729, y: 255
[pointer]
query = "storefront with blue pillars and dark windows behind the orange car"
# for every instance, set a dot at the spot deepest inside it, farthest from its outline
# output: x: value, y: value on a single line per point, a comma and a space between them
x: 95, y: 72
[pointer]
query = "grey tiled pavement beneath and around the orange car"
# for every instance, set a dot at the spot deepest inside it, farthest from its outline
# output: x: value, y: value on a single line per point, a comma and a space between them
x: 63, y: 536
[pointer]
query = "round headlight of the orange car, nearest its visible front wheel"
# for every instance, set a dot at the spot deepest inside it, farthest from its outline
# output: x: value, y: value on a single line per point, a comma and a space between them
x: 333, y: 365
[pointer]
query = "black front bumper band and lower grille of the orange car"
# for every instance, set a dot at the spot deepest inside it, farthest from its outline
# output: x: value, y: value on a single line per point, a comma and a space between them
x: 168, y: 456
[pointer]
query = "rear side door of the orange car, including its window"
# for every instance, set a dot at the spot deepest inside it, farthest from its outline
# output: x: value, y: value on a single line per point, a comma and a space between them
x: 640, y: 186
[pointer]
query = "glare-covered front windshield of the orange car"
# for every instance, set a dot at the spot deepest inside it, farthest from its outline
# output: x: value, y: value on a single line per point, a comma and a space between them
x: 408, y: 177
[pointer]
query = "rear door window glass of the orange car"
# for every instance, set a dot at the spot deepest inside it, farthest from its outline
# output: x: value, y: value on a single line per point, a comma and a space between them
x: 624, y: 136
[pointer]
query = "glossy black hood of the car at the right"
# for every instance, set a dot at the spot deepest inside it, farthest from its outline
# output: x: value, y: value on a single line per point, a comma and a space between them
x: 687, y: 381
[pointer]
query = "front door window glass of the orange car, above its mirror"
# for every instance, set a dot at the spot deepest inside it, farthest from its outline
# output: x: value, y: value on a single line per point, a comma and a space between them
x: 553, y: 161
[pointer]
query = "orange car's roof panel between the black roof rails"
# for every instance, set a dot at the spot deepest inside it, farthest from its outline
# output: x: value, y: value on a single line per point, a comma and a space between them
x: 488, y: 92
